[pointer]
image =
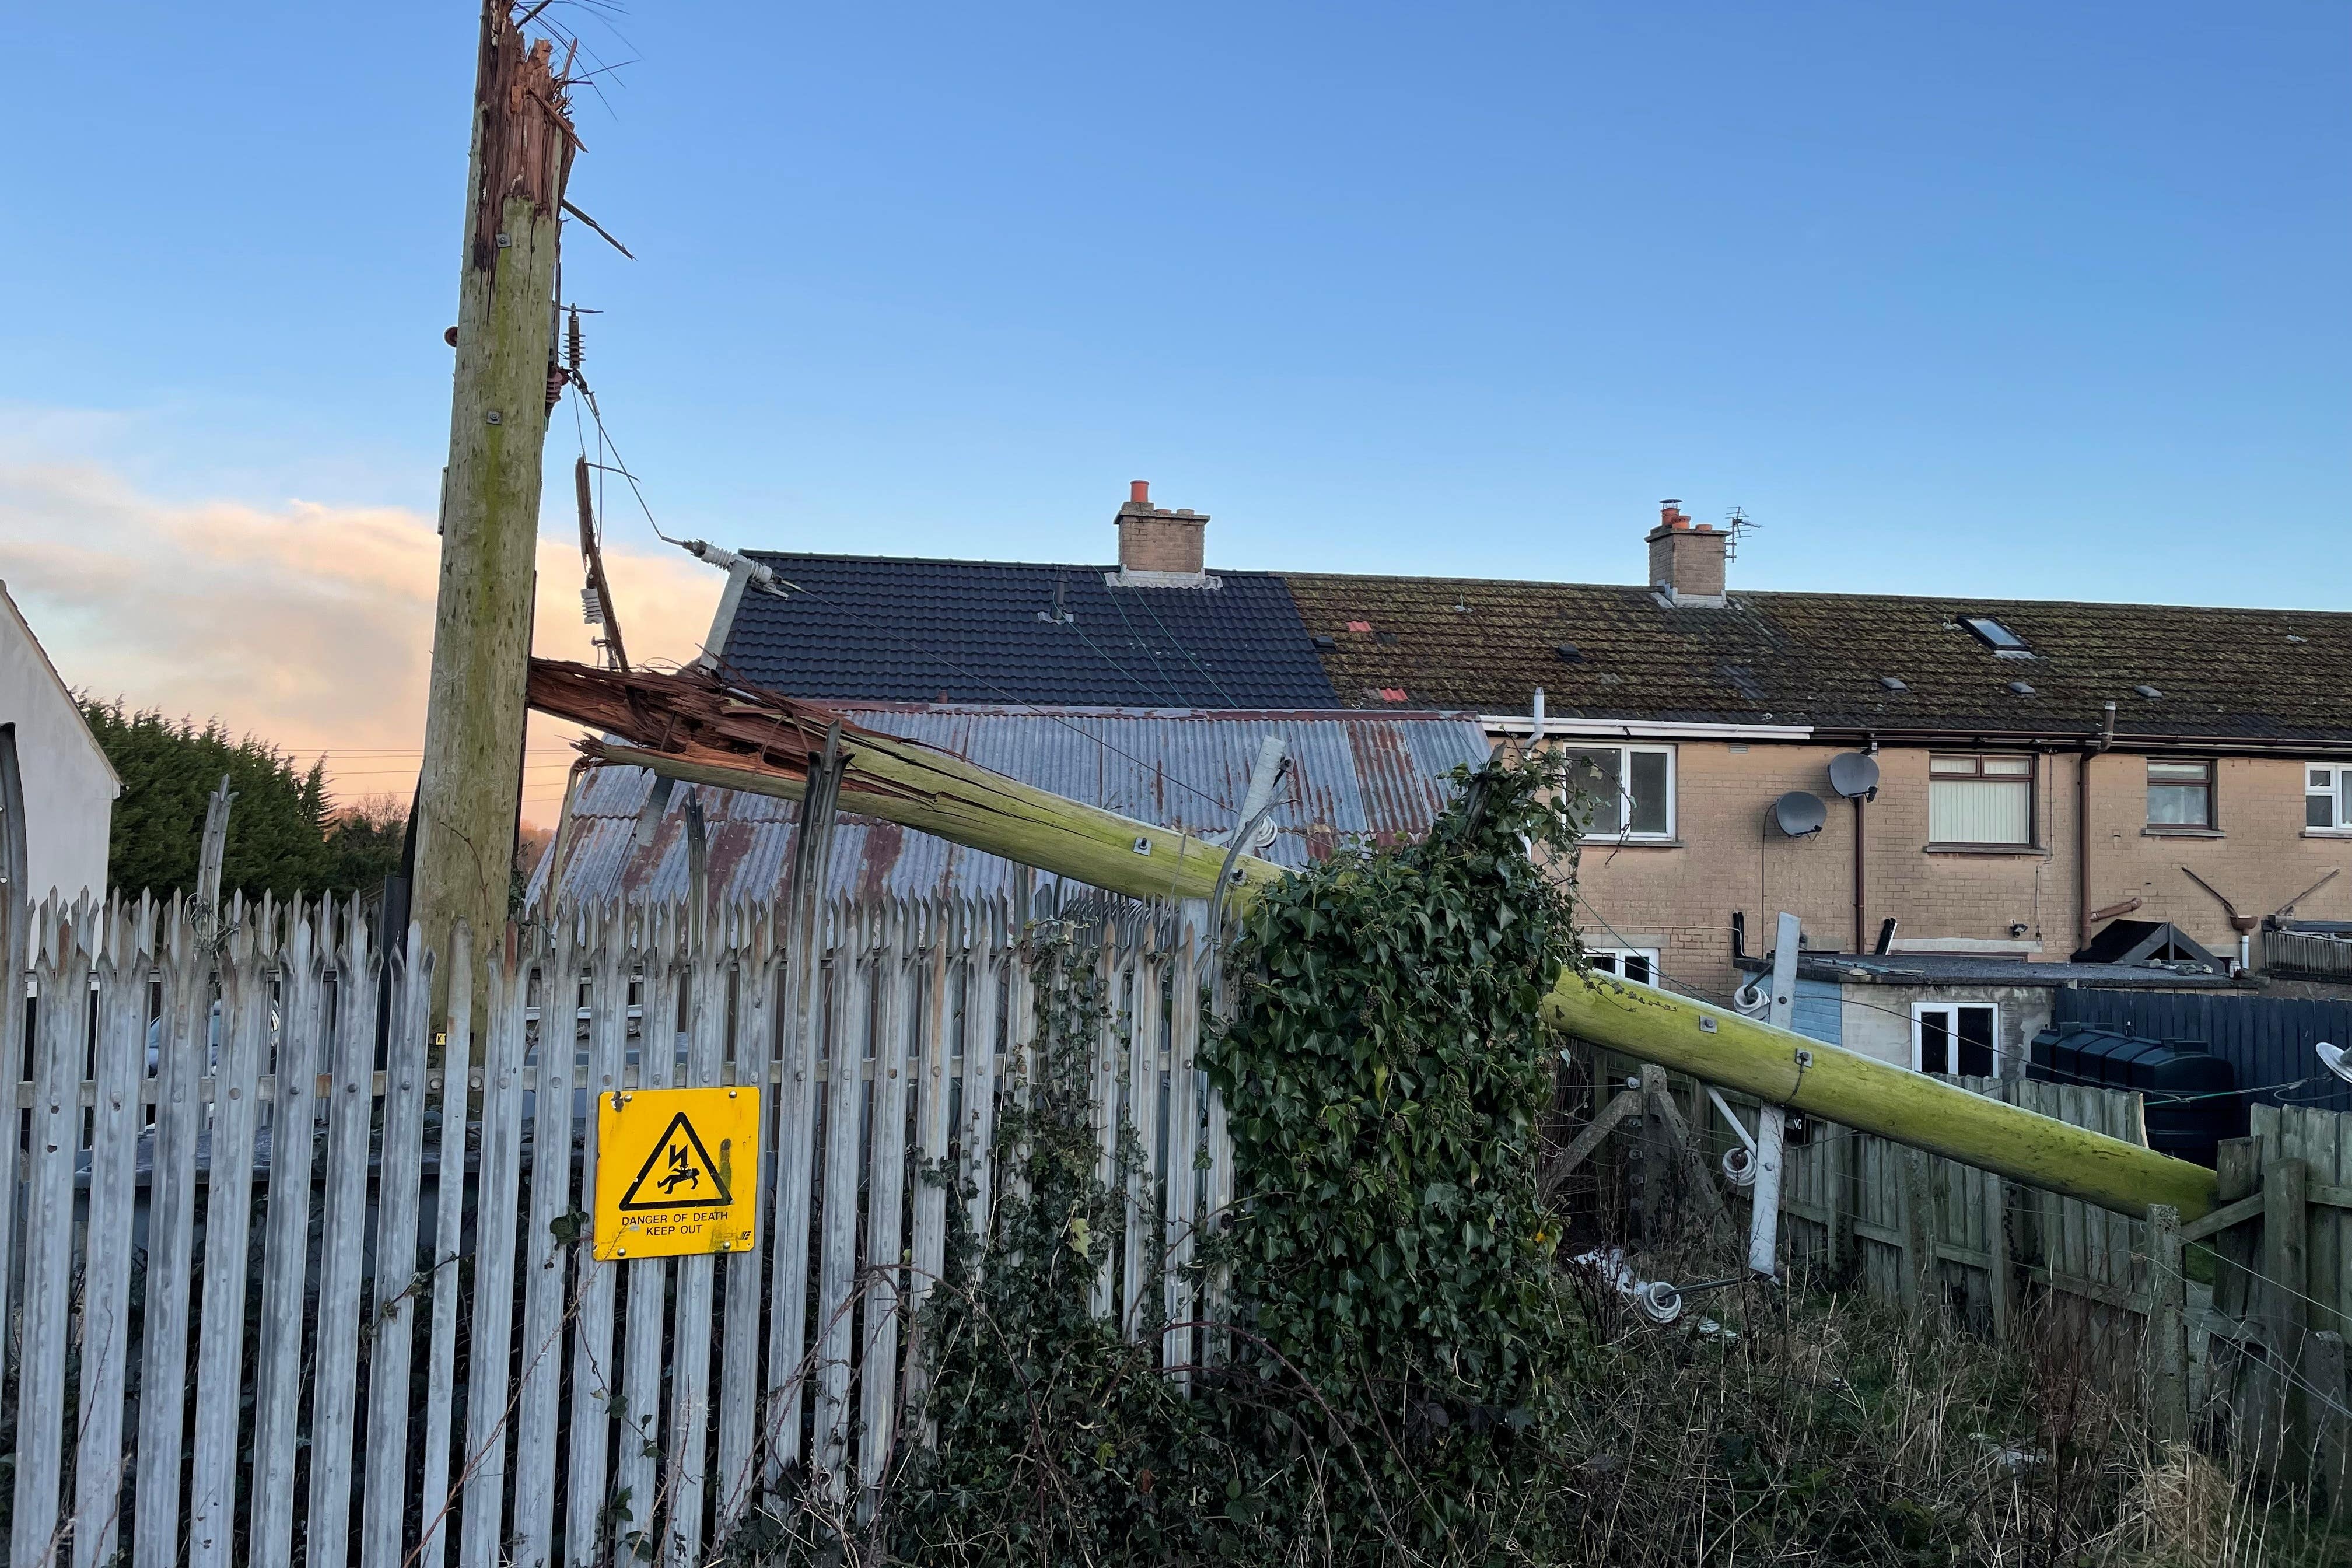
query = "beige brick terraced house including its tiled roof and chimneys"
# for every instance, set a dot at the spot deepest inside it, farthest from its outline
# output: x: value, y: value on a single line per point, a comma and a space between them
x: 2036, y: 770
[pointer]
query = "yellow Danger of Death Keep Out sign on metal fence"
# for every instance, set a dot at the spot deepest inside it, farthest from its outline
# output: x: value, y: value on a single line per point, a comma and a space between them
x: 676, y: 1172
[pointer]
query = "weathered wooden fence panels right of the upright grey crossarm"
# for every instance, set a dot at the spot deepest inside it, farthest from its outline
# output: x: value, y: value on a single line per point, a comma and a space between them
x: 2252, y: 1365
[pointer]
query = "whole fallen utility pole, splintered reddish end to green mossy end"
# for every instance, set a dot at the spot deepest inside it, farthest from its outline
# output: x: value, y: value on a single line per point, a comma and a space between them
x: 744, y: 739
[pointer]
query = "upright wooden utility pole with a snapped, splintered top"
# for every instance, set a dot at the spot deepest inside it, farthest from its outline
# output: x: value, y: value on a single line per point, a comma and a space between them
x: 469, y: 791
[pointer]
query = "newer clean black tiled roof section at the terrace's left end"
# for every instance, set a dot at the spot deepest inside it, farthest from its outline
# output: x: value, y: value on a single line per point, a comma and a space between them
x: 916, y: 631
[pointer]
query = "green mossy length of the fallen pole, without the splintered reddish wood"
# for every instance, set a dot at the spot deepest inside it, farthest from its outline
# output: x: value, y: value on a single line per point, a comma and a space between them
x: 968, y: 805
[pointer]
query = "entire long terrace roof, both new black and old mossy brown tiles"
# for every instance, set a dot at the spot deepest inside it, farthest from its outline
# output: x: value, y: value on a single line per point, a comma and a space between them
x: 918, y: 631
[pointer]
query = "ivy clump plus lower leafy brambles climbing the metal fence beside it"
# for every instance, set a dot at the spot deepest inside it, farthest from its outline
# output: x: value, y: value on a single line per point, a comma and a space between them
x: 1396, y: 1343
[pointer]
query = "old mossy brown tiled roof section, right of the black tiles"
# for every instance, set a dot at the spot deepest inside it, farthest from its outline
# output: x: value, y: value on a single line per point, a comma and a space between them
x: 1817, y: 659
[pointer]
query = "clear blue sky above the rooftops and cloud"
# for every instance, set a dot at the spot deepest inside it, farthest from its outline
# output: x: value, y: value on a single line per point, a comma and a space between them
x: 1953, y: 300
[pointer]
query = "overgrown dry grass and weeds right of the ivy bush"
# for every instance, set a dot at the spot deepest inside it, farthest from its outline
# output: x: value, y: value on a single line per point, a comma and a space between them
x: 1826, y: 1428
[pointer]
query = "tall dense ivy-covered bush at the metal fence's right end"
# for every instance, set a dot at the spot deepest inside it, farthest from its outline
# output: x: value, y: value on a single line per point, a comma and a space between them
x: 1384, y: 1078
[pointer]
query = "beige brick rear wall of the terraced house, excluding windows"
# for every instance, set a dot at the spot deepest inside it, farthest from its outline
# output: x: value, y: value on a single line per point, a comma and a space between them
x: 1728, y: 857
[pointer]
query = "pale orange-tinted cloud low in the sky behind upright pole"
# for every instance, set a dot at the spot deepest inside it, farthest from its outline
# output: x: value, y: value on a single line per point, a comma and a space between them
x: 305, y: 624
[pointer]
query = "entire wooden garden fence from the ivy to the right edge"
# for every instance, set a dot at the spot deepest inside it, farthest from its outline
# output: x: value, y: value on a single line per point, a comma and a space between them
x: 2229, y: 1332
